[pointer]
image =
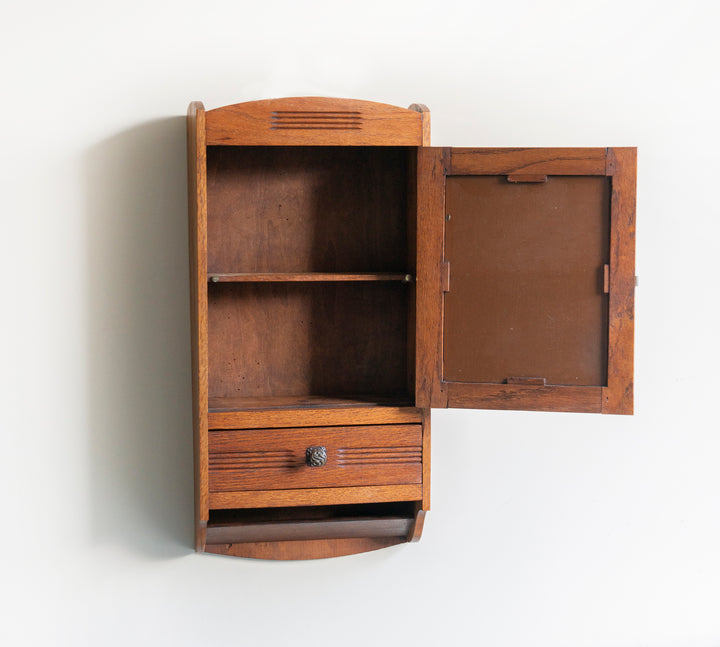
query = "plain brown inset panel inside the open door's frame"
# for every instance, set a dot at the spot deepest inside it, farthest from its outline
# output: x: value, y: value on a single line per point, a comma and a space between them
x: 526, y: 280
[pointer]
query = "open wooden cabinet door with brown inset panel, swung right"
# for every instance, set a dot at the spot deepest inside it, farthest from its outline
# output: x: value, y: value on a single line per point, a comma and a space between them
x: 525, y: 278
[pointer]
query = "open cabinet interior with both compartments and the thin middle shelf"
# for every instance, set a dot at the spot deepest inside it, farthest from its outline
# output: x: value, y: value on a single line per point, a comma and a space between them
x: 308, y: 286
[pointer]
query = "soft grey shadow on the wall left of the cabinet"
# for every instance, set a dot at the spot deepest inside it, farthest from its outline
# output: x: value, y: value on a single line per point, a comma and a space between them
x: 138, y: 308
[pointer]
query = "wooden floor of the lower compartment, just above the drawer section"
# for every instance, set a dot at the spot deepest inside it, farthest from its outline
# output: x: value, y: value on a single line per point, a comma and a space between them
x: 218, y: 405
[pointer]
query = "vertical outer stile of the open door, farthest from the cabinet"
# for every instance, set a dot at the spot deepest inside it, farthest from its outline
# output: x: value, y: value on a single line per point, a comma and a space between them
x: 618, y: 396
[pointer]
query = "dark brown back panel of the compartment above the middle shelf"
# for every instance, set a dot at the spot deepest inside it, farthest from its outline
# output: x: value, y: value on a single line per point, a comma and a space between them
x: 307, y: 209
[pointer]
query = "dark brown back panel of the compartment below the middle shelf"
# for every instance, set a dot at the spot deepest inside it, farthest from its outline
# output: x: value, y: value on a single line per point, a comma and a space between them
x: 298, y: 339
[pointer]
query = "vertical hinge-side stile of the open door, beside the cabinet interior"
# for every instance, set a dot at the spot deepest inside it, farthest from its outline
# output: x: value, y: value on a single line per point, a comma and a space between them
x: 430, y: 230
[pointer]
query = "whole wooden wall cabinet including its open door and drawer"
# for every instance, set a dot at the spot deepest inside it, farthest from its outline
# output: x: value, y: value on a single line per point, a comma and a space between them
x: 346, y: 277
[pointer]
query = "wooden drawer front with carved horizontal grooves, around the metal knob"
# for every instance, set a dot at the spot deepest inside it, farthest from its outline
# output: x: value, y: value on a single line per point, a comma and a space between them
x: 275, y: 459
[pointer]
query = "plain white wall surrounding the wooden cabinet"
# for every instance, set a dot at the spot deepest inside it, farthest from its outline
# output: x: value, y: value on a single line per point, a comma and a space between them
x: 546, y: 529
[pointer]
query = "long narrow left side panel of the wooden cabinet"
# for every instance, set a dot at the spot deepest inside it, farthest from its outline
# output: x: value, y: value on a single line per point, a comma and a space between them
x: 197, y: 211
